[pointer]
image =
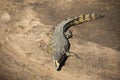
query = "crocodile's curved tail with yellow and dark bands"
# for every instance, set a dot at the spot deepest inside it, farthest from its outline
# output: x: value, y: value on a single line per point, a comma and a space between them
x: 81, y: 19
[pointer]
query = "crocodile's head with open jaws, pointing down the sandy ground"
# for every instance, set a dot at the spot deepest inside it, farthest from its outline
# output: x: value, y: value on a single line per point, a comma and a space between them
x: 59, y: 60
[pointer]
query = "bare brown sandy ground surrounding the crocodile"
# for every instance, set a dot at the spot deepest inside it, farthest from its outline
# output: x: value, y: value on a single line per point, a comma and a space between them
x: 24, y: 25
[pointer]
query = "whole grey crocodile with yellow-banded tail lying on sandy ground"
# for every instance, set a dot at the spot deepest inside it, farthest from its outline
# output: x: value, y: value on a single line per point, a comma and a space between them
x: 59, y: 41
